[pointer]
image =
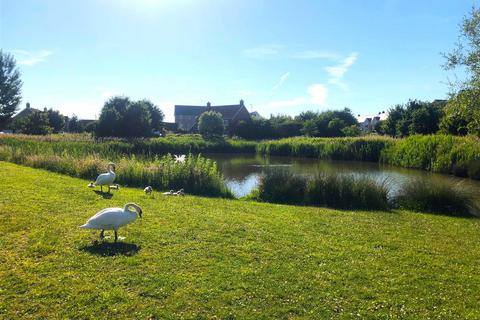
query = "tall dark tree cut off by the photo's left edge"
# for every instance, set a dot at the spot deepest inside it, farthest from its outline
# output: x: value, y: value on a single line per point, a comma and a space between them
x: 10, y: 87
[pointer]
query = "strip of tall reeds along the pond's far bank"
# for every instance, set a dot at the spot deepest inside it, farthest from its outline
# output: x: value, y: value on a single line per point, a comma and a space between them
x: 437, y: 153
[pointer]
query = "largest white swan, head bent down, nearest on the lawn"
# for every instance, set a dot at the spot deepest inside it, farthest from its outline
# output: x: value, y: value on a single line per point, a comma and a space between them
x: 113, y: 218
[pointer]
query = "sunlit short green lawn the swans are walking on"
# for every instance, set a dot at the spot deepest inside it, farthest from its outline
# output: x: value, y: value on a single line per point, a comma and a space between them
x: 204, y: 258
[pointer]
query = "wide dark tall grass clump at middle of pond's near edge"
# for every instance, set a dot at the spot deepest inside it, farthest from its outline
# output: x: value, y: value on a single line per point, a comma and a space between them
x: 324, y: 189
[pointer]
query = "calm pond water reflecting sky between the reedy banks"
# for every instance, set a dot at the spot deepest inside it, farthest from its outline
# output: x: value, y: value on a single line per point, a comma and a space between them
x: 242, y: 171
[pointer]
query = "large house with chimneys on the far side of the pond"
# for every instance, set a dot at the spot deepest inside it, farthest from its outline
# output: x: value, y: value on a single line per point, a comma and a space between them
x: 186, y: 117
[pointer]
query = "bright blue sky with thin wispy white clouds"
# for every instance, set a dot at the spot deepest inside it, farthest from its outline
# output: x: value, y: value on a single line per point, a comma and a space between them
x: 279, y: 56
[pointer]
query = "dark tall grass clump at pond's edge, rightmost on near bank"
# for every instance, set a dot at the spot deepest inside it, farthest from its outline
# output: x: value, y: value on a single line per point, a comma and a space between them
x: 430, y: 195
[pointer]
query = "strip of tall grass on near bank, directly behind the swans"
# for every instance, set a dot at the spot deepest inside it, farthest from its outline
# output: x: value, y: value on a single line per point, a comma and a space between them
x: 196, y: 175
